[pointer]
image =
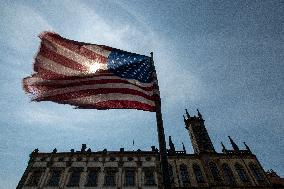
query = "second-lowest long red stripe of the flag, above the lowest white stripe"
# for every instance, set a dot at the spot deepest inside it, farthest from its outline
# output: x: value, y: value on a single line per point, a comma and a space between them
x: 89, y: 92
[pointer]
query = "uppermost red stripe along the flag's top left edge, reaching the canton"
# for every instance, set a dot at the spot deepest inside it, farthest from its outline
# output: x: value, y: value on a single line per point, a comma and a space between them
x: 74, y: 46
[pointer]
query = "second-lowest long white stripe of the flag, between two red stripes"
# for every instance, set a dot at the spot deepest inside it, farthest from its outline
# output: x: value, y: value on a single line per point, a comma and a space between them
x: 94, y: 86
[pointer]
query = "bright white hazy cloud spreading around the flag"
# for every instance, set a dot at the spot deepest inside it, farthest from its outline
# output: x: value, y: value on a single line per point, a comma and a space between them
x: 21, y: 30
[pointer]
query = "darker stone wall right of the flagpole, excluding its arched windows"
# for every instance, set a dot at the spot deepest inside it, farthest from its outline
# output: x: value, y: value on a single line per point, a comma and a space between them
x: 231, y: 160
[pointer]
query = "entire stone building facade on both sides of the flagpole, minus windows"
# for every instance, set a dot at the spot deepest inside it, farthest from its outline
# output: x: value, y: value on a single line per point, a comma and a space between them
x: 138, y: 162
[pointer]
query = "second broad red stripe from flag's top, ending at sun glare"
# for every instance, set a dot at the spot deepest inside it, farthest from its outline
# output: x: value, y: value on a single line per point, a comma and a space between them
x: 51, y: 55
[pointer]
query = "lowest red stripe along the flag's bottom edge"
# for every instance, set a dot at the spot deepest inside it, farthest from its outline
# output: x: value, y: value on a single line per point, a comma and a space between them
x: 118, y: 104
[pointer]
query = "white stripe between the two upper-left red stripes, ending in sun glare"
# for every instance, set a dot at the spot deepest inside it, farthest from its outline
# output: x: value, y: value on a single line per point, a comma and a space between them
x: 72, y: 55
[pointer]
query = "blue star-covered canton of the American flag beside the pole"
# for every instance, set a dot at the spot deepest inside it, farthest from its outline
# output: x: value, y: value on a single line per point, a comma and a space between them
x: 130, y: 66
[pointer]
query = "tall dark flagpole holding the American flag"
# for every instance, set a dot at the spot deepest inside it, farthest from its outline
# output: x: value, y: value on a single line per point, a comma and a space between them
x: 161, y: 138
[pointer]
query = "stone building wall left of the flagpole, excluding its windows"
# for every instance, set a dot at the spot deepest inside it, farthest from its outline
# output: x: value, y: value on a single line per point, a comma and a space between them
x: 120, y: 162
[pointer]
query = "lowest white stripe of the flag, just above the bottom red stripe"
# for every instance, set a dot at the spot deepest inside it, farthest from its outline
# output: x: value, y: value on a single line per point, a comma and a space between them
x: 106, y: 97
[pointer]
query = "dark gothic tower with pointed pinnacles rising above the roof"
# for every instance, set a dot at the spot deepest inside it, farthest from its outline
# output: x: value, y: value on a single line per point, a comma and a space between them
x: 200, y: 139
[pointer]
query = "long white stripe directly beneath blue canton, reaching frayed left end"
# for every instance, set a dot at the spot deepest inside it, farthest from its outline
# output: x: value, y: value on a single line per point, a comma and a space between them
x: 36, y: 80
